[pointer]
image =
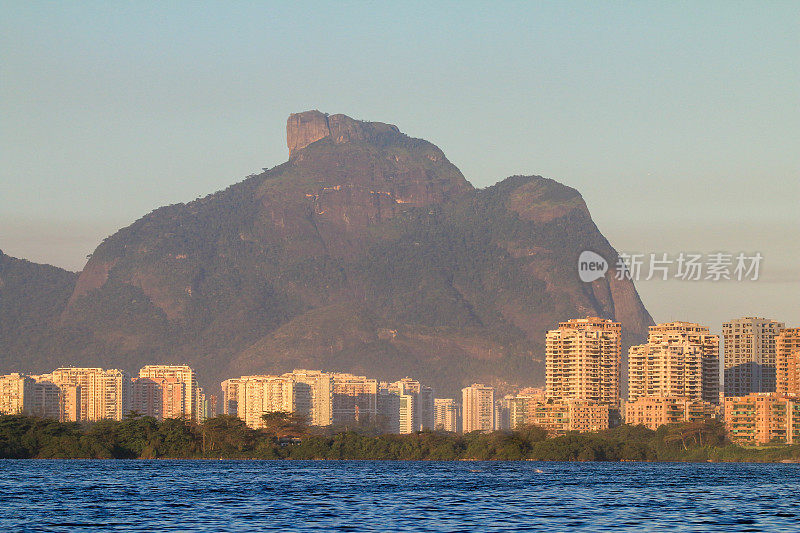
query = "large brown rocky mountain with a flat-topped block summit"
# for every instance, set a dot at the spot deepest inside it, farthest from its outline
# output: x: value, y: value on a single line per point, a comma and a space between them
x: 367, y: 251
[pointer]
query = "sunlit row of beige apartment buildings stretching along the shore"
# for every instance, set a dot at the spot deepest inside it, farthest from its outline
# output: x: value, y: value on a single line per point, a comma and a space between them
x: 674, y: 378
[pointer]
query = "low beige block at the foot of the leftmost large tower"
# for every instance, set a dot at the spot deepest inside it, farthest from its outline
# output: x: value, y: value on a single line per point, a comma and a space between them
x: 560, y: 416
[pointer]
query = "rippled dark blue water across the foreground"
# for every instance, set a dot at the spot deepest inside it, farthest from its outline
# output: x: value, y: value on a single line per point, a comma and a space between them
x: 402, y: 496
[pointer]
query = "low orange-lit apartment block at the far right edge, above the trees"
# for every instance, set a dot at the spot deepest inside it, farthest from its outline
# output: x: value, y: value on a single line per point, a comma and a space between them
x: 763, y: 418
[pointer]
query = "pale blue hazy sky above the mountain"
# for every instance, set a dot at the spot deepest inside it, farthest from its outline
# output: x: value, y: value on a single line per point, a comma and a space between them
x: 678, y: 122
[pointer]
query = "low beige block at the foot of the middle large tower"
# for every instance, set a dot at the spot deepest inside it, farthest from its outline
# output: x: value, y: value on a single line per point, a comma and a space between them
x: 656, y: 411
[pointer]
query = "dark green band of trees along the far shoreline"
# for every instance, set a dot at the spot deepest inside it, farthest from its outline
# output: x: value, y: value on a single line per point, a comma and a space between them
x: 286, y: 436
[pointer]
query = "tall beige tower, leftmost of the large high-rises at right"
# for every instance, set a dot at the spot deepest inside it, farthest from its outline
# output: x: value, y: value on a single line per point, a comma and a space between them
x: 582, y: 361
